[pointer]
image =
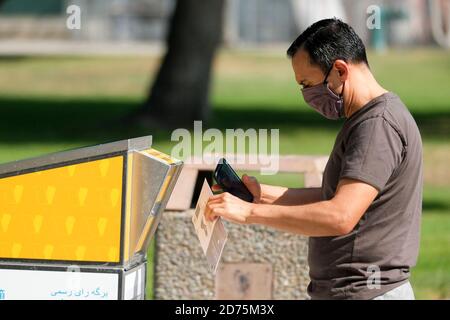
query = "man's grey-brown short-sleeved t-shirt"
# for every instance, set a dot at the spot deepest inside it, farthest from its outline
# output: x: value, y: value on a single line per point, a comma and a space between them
x: 380, y: 145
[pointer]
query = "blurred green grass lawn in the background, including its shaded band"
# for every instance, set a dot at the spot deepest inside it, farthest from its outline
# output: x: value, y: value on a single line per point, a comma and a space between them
x: 54, y: 103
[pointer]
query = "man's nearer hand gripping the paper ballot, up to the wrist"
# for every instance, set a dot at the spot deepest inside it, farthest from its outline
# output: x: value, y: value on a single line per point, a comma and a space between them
x: 229, y: 207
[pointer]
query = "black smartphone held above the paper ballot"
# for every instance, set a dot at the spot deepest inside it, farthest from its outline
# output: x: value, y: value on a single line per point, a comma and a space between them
x: 230, y: 182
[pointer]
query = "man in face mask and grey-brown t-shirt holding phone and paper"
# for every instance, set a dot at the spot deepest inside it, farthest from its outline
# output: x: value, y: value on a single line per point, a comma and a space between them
x: 364, y: 222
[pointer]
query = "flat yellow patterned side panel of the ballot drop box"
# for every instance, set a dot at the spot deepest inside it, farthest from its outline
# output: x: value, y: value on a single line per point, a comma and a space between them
x: 67, y: 213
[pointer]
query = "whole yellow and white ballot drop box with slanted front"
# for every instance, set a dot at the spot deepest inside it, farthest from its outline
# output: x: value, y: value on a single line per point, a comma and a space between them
x: 77, y: 224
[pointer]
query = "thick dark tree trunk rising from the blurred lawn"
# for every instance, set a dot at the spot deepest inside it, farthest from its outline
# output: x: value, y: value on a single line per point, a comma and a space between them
x: 180, y: 92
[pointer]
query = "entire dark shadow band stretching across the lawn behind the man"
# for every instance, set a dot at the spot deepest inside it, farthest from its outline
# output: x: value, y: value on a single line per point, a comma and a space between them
x: 72, y: 120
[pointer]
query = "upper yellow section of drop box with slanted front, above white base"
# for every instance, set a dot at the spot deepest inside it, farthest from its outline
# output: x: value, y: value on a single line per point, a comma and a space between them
x: 98, y: 204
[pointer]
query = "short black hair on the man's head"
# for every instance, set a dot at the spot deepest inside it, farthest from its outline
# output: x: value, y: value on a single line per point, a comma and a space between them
x: 328, y: 40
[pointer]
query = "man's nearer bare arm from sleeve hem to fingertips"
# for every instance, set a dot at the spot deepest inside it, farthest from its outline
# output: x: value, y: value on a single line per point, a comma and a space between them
x: 333, y: 217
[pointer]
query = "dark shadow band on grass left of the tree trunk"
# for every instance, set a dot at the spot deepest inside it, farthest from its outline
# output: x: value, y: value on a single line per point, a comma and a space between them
x: 41, y: 120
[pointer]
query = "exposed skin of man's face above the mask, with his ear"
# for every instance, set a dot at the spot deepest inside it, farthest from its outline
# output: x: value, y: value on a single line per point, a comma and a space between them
x: 308, y: 75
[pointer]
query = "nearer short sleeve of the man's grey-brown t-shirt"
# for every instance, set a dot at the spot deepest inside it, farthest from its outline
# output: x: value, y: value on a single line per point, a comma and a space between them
x: 373, y: 151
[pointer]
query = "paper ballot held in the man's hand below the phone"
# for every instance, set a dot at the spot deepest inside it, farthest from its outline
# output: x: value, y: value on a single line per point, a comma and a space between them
x: 212, y: 235
